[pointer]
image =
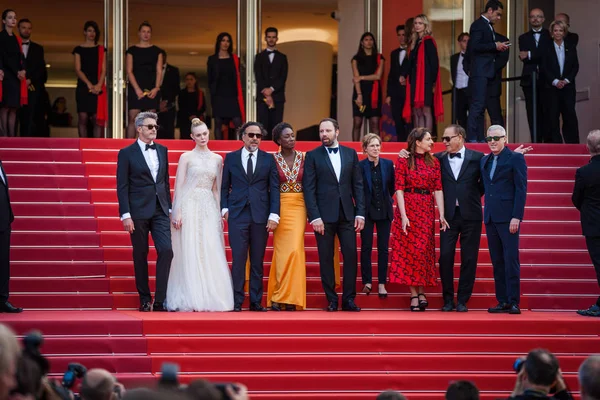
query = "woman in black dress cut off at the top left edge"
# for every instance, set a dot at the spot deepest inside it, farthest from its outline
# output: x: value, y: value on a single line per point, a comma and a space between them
x: 12, y: 64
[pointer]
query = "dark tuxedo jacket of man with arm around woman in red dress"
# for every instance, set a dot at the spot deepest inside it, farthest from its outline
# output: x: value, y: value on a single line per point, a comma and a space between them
x: 467, y: 189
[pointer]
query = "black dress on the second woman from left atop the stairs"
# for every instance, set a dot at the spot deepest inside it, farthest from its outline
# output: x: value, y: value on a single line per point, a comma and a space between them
x: 86, y: 101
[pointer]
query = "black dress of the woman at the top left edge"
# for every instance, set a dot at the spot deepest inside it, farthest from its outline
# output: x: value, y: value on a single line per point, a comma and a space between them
x: 12, y: 62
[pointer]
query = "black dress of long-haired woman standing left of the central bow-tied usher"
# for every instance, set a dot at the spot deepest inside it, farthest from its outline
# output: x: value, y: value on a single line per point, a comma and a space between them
x: 222, y: 80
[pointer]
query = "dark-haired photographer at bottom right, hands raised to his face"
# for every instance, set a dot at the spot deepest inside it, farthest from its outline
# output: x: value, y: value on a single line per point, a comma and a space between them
x: 539, y: 378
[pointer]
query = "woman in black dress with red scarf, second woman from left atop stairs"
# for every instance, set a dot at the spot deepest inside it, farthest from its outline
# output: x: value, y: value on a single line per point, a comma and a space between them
x: 91, y: 90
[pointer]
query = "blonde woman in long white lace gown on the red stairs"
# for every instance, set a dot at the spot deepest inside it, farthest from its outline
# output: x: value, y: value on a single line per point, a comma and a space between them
x: 200, y: 279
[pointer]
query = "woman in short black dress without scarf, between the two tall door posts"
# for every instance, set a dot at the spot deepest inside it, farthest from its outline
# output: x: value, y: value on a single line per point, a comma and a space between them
x: 144, y: 71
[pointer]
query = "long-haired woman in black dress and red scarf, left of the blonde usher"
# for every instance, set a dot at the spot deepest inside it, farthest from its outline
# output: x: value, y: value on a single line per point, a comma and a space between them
x: 367, y: 67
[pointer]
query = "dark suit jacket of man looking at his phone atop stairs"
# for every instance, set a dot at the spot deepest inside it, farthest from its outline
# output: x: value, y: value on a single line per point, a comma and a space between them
x: 481, y: 50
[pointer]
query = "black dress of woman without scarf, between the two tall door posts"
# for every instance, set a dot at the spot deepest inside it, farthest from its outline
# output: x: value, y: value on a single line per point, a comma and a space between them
x: 144, y: 70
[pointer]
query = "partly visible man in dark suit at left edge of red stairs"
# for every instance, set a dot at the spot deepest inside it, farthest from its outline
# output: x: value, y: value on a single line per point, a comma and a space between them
x: 6, y: 219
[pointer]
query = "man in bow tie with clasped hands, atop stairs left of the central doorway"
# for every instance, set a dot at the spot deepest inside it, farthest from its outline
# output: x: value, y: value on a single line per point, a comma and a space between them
x: 270, y: 71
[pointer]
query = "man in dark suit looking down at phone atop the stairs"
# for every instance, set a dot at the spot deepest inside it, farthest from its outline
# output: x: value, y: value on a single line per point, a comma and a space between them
x: 482, y: 49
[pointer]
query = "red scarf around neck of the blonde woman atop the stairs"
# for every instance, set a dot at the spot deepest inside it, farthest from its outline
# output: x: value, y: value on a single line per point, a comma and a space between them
x: 438, y: 104
